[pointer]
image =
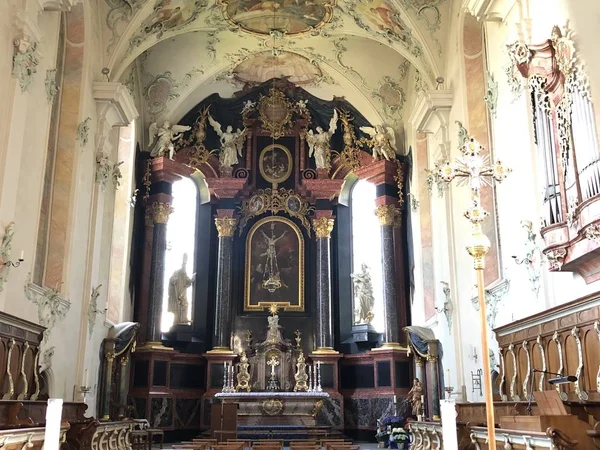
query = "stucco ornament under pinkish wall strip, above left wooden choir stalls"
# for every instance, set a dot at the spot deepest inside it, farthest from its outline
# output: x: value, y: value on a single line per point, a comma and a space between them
x: 52, y: 308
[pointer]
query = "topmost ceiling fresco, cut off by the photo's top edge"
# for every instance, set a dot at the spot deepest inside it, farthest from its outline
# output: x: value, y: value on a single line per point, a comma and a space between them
x: 260, y: 17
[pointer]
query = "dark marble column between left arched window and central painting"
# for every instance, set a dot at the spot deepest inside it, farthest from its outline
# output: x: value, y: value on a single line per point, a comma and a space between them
x: 222, y: 334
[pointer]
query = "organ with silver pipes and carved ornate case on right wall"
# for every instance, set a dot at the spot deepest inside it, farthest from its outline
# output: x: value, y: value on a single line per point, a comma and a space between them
x: 566, y: 138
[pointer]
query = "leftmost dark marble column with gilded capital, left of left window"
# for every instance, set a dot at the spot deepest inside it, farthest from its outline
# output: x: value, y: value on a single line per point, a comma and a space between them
x: 160, y: 215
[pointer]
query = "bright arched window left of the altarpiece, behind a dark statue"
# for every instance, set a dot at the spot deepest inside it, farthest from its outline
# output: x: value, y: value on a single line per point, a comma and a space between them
x: 181, y: 239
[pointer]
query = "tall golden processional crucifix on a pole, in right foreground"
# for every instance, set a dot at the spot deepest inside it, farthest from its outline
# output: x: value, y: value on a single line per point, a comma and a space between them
x: 475, y: 169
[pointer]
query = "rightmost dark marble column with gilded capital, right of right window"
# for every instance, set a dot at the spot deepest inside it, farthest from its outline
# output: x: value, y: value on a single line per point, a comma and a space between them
x: 387, y: 215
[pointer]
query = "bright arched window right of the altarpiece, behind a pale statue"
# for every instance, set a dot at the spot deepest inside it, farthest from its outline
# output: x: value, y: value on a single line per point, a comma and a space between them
x: 366, y: 244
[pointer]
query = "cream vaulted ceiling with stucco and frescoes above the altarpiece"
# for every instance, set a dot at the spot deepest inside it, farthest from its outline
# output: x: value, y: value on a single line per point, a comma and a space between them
x: 376, y: 53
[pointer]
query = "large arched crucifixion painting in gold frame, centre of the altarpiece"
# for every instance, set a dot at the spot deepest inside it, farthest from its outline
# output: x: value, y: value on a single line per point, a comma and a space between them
x: 274, y: 265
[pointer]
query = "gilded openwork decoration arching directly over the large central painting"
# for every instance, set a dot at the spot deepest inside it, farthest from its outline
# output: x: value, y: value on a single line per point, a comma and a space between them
x: 274, y: 201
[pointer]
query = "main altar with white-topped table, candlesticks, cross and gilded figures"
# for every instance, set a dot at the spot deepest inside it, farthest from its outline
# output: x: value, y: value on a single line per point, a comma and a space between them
x: 272, y: 382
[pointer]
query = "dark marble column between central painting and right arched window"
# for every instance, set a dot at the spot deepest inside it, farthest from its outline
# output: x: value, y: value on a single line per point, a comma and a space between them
x: 324, y: 332
